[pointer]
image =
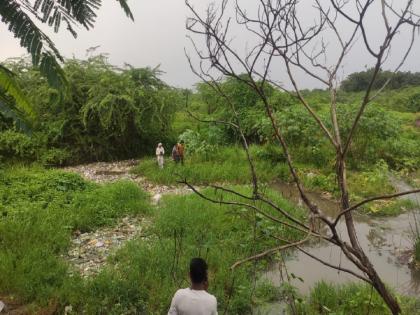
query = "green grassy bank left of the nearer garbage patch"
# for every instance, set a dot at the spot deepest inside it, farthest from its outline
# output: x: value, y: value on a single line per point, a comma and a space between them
x: 39, y: 210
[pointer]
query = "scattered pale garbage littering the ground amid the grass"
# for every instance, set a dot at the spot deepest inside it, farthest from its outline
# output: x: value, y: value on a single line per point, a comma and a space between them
x: 89, y: 251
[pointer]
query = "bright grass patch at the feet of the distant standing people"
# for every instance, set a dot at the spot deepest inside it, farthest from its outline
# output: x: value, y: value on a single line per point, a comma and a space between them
x: 224, y: 165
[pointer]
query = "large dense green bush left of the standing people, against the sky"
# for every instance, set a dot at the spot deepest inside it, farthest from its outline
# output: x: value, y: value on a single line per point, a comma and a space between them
x: 106, y: 112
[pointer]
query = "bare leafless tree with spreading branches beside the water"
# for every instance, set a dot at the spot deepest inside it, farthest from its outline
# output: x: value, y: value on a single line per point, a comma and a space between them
x: 281, y: 36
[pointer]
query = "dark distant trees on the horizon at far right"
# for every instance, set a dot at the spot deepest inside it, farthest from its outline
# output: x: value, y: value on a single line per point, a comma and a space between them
x: 358, y: 81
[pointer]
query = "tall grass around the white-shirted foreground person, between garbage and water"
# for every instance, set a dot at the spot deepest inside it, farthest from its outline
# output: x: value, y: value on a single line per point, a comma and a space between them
x: 144, y: 275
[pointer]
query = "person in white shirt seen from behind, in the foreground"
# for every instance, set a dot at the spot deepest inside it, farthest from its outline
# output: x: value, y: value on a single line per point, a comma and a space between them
x: 195, y: 300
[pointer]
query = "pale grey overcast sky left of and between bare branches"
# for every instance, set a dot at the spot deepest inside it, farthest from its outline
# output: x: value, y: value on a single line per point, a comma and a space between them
x: 158, y: 36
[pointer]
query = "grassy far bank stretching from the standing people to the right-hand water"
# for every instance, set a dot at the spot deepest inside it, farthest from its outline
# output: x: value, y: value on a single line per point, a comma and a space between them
x: 230, y: 165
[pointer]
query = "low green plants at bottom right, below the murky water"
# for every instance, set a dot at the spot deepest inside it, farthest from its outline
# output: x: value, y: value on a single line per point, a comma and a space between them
x: 326, y: 298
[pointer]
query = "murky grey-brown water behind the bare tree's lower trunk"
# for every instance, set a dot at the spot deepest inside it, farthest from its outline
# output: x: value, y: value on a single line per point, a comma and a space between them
x: 385, y: 240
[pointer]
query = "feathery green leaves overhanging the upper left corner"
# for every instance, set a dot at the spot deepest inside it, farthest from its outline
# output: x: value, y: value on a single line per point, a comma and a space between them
x: 16, y: 15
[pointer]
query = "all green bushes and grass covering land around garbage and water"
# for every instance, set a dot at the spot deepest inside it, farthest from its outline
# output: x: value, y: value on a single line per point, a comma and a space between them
x: 125, y: 117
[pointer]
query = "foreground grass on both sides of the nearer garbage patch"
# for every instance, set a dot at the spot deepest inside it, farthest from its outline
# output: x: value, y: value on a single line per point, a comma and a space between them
x: 42, y: 208
